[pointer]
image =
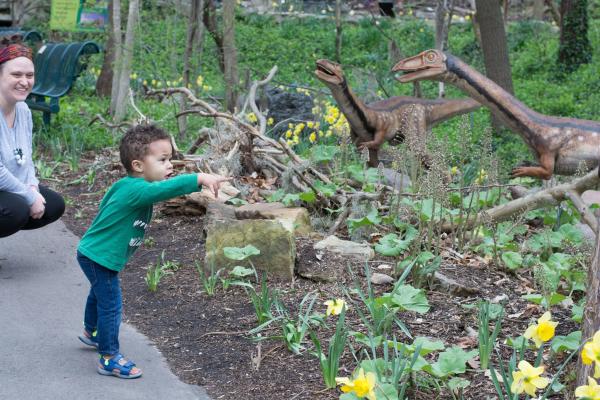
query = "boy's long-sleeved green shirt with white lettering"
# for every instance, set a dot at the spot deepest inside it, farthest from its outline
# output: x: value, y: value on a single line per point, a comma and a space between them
x: 124, y: 214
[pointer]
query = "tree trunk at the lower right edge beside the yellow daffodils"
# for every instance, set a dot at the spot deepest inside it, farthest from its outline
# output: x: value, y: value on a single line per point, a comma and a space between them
x: 591, y: 320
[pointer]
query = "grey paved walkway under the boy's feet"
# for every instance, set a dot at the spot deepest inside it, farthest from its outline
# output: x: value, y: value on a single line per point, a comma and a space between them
x: 42, y: 296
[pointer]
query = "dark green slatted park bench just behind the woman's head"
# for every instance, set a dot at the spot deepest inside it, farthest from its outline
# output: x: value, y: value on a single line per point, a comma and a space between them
x: 57, y: 66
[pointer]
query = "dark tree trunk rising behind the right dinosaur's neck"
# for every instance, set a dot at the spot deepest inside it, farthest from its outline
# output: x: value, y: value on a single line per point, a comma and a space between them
x: 494, y: 46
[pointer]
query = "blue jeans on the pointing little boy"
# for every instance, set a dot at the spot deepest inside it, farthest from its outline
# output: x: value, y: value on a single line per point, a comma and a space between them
x: 103, y: 307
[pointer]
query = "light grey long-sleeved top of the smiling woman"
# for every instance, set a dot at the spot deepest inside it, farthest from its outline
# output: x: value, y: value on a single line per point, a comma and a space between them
x: 16, y: 166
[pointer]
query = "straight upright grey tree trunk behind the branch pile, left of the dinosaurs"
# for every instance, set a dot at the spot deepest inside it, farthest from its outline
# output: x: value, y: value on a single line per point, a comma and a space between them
x: 230, y: 55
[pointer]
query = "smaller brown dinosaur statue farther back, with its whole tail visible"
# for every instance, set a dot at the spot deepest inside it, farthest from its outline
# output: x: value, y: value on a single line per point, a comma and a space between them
x: 390, y: 119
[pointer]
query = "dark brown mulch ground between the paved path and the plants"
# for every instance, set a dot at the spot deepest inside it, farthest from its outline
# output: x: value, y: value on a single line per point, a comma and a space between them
x: 204, y: 338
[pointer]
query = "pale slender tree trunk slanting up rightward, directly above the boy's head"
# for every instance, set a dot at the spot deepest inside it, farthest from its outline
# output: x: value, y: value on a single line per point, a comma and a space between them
x: 127, y: 56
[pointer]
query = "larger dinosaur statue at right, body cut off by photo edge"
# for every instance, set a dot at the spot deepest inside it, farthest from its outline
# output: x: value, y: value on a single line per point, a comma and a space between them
x: 561, y: 145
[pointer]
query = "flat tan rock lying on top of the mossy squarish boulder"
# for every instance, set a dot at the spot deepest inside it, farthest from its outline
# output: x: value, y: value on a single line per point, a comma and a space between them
x: 296, y: 220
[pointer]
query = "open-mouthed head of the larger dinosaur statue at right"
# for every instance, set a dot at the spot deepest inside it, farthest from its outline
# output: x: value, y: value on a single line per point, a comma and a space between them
x: 429, y: 64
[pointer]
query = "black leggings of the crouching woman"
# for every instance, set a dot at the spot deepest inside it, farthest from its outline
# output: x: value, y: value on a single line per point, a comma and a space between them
x: 14, y: 211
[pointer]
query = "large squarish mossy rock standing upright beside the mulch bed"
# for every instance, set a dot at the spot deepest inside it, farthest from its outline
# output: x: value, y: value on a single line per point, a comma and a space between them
x: 275, y: 242
